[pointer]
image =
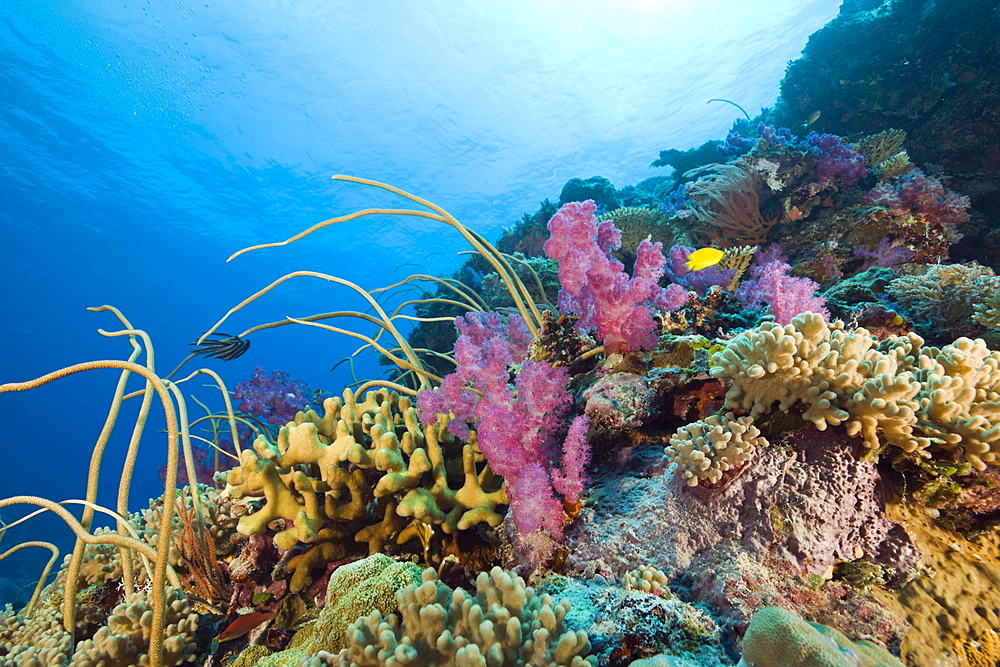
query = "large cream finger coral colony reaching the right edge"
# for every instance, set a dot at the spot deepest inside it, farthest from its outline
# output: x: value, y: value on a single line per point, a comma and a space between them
x: 896, y: 392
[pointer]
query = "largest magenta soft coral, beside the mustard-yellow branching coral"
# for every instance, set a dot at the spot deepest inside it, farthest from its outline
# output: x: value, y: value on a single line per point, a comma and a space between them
x: 517, y: 425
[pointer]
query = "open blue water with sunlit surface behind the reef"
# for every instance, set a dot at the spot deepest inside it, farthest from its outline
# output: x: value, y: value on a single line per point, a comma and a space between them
x: 141, y: 143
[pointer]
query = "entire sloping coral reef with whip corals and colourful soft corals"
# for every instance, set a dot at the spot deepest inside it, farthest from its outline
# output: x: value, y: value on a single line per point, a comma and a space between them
x: 574, y: 409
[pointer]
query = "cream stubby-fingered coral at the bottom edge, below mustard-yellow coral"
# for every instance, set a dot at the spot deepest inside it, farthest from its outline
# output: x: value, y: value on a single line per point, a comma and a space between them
x: 505, y: 623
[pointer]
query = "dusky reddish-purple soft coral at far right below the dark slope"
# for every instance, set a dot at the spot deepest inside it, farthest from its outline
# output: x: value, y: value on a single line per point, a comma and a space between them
x: 923, y: 197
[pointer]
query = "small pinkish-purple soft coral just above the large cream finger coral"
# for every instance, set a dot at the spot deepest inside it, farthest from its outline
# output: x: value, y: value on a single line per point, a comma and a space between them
x: 786, y: 295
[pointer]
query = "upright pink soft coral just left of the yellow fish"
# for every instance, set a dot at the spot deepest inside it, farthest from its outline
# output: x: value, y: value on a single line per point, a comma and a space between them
x: 595, y: 285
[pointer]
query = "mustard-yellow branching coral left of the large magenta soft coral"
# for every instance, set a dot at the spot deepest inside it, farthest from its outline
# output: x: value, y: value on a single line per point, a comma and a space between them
x: 314, y: 477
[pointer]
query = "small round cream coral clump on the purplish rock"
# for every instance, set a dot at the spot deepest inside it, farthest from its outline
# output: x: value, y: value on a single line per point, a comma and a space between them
x: 705, y: 449
